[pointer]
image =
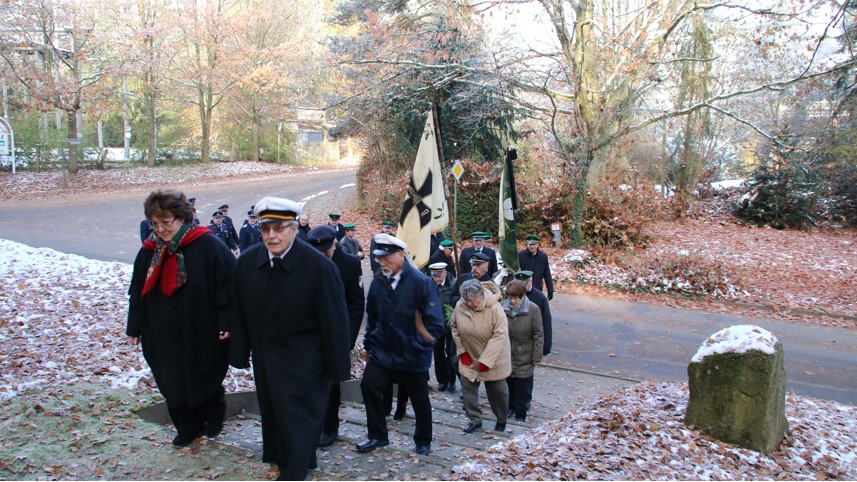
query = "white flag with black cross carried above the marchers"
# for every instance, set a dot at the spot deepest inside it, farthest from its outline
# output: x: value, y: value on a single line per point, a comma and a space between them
x: 424, y: 211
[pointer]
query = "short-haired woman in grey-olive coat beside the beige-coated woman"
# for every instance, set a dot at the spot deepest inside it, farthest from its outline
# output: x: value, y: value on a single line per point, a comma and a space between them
x: 526, y: 336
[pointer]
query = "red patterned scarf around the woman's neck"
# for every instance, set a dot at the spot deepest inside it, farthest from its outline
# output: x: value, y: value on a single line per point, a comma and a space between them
x: 169, y: 259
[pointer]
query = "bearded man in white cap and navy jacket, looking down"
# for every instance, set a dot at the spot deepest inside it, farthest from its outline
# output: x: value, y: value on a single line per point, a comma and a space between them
x: 404, y: 318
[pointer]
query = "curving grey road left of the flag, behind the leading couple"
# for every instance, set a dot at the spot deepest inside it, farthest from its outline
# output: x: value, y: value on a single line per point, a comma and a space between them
x: 107, y: 226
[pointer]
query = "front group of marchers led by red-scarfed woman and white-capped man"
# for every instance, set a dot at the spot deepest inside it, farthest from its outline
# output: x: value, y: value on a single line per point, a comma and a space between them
x: 294, y: 301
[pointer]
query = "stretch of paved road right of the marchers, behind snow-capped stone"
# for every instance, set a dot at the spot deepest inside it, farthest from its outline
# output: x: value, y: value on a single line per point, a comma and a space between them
x: 646, y: 341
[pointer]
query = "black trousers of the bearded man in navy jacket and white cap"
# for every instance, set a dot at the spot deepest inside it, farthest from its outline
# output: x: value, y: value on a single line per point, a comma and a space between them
x: 375, y: 380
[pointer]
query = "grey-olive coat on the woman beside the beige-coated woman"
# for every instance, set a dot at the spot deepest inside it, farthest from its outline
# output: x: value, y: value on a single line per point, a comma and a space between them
x: 526, y: 336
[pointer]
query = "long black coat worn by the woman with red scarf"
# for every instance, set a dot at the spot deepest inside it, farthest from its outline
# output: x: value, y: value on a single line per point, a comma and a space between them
x: 179, y: 334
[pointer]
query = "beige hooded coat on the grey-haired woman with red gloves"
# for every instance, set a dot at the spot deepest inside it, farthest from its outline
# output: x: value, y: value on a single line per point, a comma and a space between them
x: 482, y: 333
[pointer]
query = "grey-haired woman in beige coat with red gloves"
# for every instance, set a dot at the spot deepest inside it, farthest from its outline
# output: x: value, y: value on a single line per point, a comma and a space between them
x: 480, y: 331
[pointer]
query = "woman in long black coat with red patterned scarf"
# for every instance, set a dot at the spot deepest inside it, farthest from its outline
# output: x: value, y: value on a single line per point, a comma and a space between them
x: 180, y: 300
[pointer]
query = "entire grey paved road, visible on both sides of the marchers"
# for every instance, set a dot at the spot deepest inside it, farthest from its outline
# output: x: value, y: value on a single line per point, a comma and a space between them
x: 633, y: 340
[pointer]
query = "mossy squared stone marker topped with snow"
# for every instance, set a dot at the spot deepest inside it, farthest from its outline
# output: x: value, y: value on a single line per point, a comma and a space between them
x: 737, y: 388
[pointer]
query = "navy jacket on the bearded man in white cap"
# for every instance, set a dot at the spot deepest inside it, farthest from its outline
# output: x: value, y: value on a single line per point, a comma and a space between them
x: 392, y: 340
